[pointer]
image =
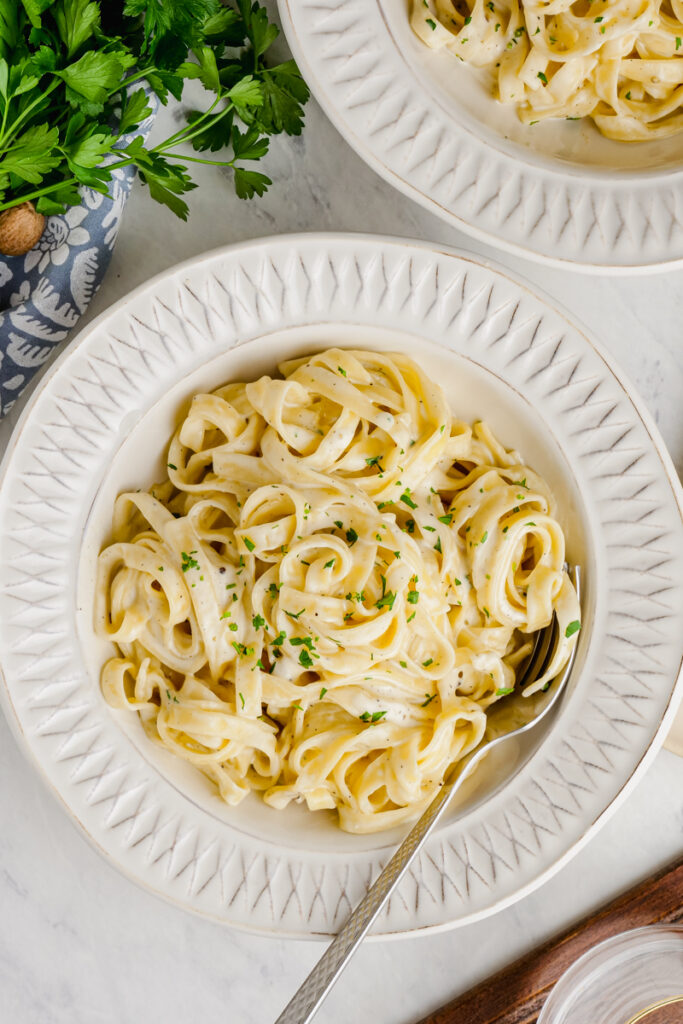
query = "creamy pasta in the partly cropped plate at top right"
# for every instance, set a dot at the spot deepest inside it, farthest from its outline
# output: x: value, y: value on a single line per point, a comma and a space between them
x: 618, y: 62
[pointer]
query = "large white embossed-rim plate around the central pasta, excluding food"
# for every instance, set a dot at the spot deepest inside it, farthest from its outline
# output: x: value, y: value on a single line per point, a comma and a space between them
x: 99, y: 423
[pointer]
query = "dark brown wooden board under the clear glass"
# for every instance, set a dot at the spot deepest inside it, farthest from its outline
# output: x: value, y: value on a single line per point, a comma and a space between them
x: 517, y: 995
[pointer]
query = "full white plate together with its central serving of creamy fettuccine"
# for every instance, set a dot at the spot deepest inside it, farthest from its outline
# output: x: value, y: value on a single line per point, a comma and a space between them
x: 310, y: 528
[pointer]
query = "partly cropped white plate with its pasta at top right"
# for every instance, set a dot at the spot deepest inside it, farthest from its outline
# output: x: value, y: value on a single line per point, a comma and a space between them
x: 550, y: 131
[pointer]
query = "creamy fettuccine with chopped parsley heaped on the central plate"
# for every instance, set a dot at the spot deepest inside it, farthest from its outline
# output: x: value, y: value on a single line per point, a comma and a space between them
x: 333, y: 584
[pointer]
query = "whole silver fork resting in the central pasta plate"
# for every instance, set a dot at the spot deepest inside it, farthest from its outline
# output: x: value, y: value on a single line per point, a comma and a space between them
x: 309, y: 999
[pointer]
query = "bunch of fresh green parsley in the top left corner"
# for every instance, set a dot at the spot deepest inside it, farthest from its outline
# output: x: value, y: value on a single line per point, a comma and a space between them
x: 73, y: 80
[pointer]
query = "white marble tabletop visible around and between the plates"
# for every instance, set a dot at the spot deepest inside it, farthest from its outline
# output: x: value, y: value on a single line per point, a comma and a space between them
x: 79, y: 945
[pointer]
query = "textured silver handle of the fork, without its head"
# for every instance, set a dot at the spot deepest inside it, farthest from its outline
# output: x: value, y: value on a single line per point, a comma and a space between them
x: 308, y: 1000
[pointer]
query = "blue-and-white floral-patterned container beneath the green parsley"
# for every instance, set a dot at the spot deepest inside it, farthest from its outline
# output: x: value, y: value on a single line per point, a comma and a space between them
x: 45, y: 293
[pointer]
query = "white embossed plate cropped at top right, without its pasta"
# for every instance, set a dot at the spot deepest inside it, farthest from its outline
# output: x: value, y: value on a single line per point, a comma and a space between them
x: 560, y: 192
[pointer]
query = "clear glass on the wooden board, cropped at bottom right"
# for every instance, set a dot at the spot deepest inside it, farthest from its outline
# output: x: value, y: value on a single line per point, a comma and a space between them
x: 634, y: 977
